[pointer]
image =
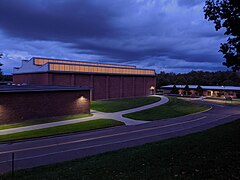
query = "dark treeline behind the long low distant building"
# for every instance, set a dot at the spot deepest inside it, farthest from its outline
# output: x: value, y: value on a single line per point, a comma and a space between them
x: 219, y: 78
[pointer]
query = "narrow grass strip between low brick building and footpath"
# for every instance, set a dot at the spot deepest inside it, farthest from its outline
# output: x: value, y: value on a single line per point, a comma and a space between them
x: 43, y: 120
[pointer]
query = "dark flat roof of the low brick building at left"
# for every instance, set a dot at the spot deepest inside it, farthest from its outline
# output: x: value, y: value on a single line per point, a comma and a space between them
x: 32, y: 88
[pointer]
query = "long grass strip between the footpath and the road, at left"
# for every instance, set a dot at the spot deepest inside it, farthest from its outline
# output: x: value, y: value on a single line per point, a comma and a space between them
x: 70, y: 128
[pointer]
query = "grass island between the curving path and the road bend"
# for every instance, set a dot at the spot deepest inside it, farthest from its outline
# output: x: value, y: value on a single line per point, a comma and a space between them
x: 174, y: 108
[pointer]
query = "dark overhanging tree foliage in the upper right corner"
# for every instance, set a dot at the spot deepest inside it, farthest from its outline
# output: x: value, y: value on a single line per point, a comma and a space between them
x: 226, y: 14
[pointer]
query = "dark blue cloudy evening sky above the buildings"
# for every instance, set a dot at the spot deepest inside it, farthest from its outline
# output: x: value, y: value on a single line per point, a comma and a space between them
x: 167, y: 35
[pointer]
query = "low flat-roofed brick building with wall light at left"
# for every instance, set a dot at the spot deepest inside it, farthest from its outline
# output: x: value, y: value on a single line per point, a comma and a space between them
x: 19, y: 103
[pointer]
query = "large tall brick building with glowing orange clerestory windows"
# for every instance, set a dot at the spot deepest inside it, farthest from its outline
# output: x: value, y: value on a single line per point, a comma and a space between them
x: 107, y: 80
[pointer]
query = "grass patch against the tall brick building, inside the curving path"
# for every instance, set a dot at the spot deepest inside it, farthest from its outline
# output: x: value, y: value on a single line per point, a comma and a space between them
x: 122, y: 104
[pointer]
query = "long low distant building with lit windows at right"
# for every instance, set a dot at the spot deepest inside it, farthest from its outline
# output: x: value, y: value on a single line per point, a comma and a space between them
x: 195, y: 90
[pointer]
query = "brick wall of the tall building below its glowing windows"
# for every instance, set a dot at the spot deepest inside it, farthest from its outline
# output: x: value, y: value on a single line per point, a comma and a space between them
x: 104, y: 86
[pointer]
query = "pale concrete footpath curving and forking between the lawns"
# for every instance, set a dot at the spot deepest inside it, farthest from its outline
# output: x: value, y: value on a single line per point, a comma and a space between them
x: 96, y: 115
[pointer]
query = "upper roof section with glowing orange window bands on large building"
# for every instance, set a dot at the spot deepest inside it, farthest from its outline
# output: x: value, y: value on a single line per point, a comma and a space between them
x: 40, y: 65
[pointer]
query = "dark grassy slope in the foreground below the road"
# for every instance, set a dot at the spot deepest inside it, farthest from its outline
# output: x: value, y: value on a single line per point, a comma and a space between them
x: 212, y: 154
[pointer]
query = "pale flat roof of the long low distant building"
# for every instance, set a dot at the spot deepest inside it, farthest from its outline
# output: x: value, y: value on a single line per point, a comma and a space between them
x: 226, y: 88
